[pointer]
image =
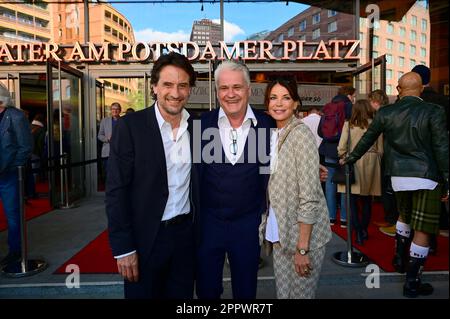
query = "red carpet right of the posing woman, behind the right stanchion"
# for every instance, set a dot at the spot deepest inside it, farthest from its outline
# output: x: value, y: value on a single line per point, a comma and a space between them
x: 380, y: 248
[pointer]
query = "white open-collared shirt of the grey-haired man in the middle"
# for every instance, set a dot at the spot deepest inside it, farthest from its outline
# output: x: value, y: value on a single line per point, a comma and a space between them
x: 241, y: 133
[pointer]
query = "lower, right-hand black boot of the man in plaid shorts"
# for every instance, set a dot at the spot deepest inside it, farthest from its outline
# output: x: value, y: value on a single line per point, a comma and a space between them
x: 413, y: 286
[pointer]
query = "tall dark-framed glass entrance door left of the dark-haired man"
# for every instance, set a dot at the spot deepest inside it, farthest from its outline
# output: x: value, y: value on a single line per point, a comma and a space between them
x: 65, y: 134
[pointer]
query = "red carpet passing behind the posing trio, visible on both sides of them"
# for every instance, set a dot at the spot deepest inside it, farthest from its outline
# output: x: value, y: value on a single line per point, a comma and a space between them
x: 97, y: 257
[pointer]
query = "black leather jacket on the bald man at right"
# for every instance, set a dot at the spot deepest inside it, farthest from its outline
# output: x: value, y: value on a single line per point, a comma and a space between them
x: 415, y: 139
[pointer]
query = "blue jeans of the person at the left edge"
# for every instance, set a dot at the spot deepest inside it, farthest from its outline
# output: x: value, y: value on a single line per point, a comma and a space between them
x: 9, y: 194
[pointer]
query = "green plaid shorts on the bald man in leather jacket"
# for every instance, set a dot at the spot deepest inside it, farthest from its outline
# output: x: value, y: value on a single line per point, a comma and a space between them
x: 420, y: 209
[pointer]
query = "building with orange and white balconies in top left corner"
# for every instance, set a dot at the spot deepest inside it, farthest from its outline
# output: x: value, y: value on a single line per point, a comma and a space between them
x: 25, y: 22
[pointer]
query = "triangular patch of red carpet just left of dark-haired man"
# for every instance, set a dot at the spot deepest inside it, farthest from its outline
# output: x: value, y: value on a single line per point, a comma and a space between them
x: 95, y: 258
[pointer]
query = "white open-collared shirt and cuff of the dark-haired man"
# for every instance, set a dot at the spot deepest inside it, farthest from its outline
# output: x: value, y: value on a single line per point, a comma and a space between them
x: 178, y: 162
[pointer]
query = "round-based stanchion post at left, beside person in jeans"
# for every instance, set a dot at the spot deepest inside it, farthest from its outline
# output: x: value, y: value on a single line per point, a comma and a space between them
x: 26, y: 267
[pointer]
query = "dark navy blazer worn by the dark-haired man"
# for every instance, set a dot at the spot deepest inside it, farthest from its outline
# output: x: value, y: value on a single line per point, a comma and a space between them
x: 136, y: 186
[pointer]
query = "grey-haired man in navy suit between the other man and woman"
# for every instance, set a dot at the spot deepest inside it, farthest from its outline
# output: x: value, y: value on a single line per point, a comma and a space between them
x: 233, y: 175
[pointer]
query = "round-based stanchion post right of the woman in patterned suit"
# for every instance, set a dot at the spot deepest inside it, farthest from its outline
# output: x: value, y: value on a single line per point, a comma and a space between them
x: 349, y: 258
